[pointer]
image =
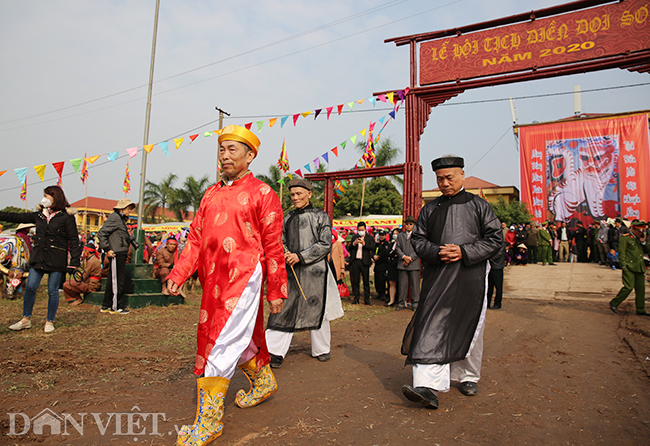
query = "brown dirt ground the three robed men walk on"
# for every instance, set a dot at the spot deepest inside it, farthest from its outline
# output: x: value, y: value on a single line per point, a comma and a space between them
x: 554, y: 372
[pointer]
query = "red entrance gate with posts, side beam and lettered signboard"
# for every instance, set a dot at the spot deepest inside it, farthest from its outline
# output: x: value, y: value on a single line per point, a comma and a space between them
x: 578, y: 37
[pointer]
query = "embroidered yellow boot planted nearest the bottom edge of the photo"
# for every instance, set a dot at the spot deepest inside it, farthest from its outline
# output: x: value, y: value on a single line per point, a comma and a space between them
x: 209, y: 412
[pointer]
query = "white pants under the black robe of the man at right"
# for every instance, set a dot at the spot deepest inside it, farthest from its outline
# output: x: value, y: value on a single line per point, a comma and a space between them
x: 438, y: 376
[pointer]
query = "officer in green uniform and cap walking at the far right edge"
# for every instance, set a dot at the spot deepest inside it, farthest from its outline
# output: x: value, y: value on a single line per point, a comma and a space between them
x: 630, y: 256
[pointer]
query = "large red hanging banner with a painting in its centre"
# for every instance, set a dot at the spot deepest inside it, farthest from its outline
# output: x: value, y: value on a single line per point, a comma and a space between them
x: 586, y: 169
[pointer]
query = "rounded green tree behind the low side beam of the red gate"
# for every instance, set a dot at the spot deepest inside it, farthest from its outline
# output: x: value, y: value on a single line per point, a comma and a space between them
x: 381, y: 197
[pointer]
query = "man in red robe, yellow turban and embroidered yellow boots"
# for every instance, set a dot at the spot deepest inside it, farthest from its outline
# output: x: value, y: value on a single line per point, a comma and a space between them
x: 235, y: 242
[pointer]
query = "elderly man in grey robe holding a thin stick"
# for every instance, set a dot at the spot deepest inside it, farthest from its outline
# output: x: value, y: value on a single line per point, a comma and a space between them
x: 313, y: 299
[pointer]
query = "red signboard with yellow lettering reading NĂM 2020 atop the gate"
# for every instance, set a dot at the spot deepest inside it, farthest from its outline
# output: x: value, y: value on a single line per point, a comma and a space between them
x: 594, y: 33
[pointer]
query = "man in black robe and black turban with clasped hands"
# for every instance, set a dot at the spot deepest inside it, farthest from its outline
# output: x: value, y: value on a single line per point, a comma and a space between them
x: 455, y: 236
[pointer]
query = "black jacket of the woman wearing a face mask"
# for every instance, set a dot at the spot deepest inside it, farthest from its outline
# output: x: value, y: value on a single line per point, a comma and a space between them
x: 52, y: 241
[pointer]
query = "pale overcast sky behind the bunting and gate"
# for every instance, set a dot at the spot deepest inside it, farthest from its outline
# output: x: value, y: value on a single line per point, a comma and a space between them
x: 74, y: 76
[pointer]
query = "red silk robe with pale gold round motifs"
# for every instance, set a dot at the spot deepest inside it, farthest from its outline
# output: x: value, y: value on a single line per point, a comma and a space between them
x: 236, y: 226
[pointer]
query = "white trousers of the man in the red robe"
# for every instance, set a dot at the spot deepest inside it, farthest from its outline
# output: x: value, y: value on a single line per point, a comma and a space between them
x: 235, y: 344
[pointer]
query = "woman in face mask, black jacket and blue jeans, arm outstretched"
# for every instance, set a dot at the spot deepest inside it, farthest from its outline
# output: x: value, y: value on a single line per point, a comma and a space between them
x: 56, y: 235
